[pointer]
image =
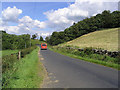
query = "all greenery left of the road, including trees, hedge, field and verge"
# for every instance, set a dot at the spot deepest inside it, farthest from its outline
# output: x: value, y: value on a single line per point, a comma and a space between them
x: 22, y: 70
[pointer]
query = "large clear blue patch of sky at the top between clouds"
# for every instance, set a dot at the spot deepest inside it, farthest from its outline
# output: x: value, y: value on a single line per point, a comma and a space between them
x: 35, y: 9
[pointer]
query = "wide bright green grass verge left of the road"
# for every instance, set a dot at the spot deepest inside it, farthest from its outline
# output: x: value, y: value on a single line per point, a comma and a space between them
x: 27, y: 74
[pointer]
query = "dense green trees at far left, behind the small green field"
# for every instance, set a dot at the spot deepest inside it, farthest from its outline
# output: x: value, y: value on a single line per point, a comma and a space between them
x: 12, y: 41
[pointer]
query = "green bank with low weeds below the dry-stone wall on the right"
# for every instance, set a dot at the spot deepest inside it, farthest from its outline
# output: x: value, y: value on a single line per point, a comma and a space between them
x: 94, y: 58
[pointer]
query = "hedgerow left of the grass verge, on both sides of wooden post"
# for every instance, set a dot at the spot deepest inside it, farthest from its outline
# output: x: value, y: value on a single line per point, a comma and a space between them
x: 9, y: 65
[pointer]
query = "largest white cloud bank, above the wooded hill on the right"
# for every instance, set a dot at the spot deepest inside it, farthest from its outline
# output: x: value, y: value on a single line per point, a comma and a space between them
x: 65, y: 17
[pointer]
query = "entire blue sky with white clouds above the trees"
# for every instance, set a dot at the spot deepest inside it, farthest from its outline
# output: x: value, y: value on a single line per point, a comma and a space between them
x: 45, y: 17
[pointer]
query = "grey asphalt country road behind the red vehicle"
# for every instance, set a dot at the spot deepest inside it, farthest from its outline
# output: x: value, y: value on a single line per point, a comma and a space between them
x: 66, y: 72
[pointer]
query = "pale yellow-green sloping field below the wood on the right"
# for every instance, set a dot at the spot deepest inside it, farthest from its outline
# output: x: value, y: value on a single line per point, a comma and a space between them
x: 106, y: 39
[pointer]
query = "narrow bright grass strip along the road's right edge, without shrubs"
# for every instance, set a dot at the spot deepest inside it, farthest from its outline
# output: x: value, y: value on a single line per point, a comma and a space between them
x: 108, y: 64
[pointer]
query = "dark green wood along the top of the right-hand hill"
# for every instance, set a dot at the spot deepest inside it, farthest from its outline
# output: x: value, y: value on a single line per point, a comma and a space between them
x: 101, y: 21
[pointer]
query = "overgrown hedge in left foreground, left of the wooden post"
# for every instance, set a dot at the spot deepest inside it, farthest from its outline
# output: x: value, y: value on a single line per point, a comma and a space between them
x: 8, y: 68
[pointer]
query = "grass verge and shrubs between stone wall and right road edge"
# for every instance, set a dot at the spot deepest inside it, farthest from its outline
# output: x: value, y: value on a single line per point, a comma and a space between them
x: 88, y: 55
